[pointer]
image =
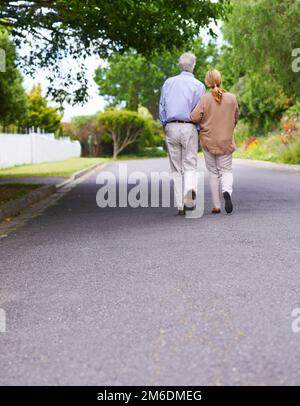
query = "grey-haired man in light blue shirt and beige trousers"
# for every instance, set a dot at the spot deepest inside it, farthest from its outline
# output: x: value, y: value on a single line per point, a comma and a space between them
x: 179, y: 96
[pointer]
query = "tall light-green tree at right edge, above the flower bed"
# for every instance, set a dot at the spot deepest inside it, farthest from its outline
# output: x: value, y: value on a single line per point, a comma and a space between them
x: 256, y: 61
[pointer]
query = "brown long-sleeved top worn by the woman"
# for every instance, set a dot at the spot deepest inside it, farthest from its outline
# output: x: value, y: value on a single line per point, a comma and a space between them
x: 217, y: 123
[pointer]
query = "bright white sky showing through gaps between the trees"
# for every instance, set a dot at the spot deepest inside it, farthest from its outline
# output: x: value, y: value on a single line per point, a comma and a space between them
x: 96, y: 103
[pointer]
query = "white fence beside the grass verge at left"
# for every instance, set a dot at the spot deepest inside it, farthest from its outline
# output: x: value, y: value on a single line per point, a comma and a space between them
x: 18, y: 149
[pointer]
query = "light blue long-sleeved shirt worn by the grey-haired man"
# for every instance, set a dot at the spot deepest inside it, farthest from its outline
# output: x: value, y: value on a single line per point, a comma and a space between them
x: 179, y: 96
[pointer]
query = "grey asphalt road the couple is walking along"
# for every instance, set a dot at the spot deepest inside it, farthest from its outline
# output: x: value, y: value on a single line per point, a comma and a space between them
x: 124, y: 296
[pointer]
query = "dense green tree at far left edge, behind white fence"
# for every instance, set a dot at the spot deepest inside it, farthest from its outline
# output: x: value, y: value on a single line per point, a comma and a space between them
x: 12, y: 95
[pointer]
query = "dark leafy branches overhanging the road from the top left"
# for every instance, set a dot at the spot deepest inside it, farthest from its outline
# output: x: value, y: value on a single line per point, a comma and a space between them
x: 59, y: 28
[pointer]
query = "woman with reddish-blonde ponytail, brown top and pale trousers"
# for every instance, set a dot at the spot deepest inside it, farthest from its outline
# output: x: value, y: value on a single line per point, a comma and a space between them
x: 217, y: 112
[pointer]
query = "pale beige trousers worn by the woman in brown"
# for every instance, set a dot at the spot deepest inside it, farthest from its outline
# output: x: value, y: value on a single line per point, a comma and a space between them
x: 220, y: 175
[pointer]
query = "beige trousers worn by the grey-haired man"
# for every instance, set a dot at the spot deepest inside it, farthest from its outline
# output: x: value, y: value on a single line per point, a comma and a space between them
x: 182, y: 145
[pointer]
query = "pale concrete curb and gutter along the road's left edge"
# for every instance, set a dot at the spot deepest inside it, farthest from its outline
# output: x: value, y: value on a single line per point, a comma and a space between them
x: 13, y: 208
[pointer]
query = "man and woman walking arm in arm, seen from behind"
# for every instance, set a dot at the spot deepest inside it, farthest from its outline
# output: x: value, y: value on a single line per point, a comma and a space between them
x: 187, y: 112
